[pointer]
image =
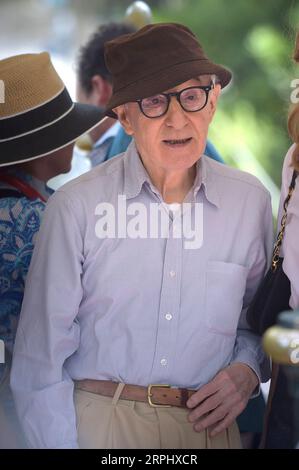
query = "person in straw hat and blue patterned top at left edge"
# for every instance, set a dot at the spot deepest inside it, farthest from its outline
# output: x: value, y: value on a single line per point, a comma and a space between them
x: 39, y: 124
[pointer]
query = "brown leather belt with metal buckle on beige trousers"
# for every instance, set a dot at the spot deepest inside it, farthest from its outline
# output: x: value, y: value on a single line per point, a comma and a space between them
x: 155, y: 395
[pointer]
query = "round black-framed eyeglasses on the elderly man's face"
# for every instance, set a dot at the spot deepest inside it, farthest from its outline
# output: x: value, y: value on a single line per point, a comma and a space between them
x: 191, y: 99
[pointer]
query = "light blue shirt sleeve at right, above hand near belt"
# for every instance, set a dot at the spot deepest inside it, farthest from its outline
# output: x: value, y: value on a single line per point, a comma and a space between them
x: 248, y: 347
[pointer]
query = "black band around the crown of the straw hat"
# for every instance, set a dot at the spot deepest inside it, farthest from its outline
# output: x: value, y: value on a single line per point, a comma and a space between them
x: 28, y: 122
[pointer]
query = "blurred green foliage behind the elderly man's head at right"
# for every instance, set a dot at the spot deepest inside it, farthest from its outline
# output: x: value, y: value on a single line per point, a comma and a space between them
x: 255, y: 40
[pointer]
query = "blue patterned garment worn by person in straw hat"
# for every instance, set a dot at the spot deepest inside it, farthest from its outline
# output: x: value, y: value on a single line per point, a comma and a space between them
x: 20, y: 220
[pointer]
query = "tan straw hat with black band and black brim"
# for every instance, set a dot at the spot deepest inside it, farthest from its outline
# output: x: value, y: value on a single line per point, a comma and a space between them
x: 37, y: 115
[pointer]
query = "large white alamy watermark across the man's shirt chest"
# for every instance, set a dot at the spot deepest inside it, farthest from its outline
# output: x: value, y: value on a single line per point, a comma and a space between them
x: 155, y: 220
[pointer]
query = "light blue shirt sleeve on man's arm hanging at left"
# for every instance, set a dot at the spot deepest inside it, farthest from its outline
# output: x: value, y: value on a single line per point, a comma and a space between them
x: 48, y: 332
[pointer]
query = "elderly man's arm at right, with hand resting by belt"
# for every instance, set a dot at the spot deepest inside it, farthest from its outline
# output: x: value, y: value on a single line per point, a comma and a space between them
x: 218, y: 403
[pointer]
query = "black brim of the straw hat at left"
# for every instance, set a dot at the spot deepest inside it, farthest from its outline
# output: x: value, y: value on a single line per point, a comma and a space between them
x: 81, y: 119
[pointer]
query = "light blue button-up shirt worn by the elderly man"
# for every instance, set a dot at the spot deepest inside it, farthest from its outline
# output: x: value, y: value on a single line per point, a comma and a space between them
x: 141, y: 311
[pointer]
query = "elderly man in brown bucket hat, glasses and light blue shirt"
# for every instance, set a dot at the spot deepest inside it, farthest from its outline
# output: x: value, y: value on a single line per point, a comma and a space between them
x: 133, y: 331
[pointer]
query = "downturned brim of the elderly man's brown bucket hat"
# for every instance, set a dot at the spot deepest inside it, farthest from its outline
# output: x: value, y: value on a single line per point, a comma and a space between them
x: 166, y: 79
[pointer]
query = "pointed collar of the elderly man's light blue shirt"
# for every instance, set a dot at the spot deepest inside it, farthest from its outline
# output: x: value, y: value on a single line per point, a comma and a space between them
x: 135, y: 175
